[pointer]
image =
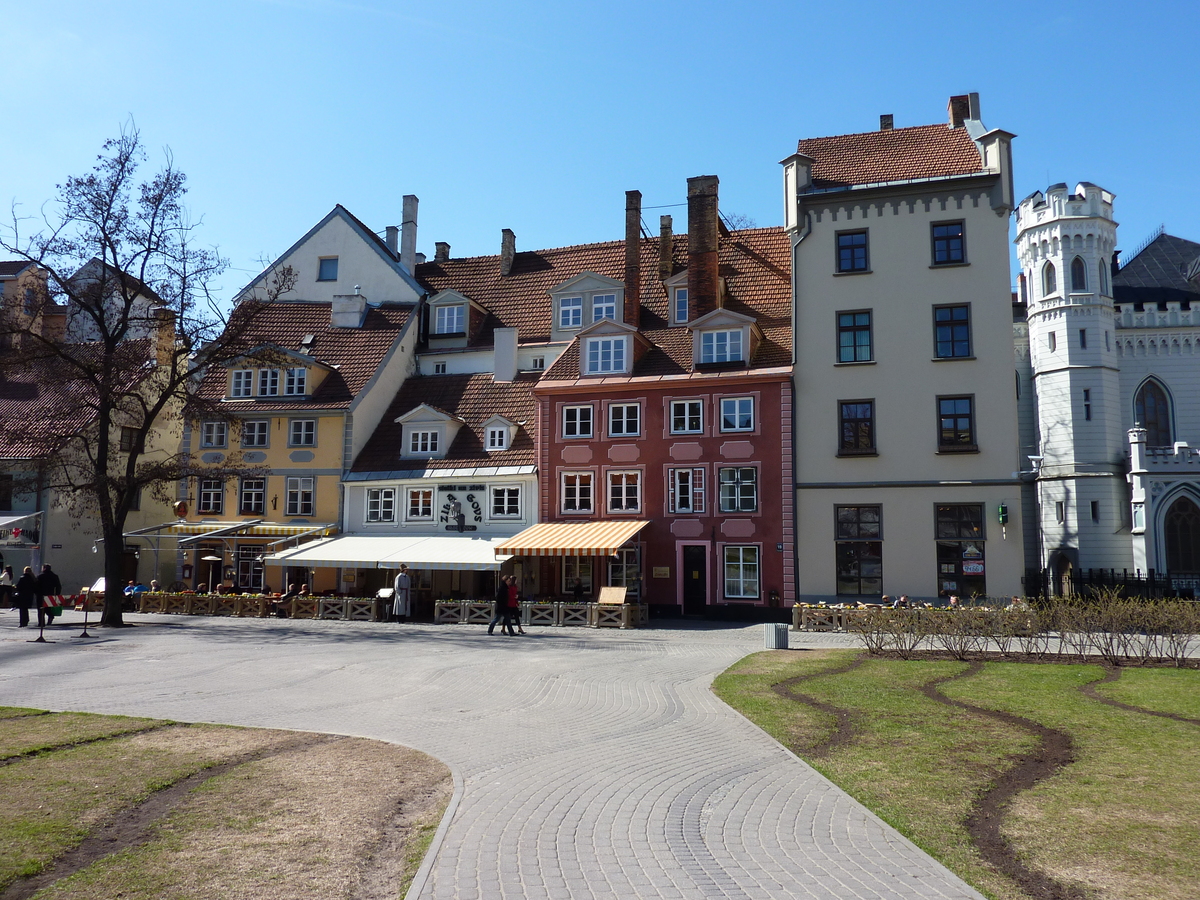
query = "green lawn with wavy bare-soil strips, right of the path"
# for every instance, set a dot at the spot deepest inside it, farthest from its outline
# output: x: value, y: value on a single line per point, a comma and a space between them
x: 1121, y: 821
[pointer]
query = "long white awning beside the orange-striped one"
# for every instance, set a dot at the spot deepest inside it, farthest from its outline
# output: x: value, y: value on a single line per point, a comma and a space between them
x: 388, y: 553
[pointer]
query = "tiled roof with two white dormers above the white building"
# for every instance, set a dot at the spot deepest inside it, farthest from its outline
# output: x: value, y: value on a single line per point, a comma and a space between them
x: 477, y: 400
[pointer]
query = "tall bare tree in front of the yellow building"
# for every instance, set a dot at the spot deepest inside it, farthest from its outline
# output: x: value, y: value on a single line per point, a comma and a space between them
x: 117, y: 337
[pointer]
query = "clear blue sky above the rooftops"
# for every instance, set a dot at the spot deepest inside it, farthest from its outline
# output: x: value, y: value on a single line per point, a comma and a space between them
x: 538, y: 117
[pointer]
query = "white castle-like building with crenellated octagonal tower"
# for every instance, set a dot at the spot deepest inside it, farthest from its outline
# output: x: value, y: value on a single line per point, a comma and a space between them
x: 1109, y: 381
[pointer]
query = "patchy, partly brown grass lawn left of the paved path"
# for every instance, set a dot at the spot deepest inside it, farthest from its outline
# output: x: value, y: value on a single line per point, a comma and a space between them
x: 267, y: 814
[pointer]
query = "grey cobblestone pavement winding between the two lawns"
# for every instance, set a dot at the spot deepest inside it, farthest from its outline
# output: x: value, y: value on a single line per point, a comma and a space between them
x: 589, y: 764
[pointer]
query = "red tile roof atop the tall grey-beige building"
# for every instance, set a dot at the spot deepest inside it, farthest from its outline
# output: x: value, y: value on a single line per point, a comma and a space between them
x: 896, y: 155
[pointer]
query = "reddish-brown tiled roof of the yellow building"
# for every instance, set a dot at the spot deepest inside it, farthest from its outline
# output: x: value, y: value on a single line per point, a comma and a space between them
x: 353, y: 353
